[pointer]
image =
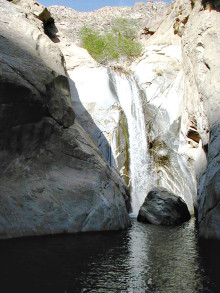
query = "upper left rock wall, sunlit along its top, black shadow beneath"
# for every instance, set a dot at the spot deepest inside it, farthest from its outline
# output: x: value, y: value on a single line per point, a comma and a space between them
x: 32, y: 67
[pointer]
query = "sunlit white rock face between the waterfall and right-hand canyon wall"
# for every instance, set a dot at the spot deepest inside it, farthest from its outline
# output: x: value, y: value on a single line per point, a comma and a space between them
x: 160, y: 77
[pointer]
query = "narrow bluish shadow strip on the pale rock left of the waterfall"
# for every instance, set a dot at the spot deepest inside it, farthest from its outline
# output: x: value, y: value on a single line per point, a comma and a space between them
x: 90, y: 126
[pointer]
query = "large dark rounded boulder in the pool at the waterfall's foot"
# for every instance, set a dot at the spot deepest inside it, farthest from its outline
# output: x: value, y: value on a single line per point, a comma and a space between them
x: 162, y: 207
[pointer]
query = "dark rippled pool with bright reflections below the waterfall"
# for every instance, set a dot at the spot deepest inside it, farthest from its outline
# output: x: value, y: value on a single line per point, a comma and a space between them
x: 145, y: 258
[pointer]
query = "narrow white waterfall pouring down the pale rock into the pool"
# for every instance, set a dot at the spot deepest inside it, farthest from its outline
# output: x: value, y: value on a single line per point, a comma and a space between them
x: 129, y: 97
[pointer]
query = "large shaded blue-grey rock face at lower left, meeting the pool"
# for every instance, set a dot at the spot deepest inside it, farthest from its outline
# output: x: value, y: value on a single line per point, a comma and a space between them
x: 55, y: 181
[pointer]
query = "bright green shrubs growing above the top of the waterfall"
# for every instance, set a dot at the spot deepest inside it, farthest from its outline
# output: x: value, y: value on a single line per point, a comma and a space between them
x: 111, y: 45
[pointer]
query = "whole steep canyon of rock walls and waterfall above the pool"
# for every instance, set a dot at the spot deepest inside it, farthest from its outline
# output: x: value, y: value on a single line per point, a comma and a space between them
x: 82, y: 143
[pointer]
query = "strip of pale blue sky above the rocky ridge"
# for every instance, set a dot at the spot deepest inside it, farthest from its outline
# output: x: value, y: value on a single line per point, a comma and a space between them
x: 89, y: 5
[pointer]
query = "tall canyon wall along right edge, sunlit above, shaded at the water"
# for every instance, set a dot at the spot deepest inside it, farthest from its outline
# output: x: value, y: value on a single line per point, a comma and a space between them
x: 201, y: 51
